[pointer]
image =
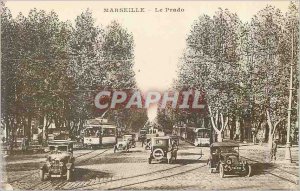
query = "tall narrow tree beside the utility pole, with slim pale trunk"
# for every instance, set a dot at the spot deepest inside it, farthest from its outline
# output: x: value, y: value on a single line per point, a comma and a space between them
x: 271, y: 49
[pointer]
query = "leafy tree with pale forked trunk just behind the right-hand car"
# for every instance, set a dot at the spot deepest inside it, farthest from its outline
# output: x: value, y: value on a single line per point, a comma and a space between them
x: 211, y: 64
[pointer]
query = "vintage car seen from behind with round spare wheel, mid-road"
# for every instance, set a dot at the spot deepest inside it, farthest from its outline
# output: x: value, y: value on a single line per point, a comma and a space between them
x: 163, y: 148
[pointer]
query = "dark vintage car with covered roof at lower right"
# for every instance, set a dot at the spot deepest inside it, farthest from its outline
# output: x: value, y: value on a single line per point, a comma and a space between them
x: 224, y: 158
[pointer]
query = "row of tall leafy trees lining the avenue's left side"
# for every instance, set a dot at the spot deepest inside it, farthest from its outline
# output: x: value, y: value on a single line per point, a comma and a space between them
x: 51, y: 69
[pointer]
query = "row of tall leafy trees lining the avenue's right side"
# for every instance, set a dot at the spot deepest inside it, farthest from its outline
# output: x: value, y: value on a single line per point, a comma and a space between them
x: 244, y: 70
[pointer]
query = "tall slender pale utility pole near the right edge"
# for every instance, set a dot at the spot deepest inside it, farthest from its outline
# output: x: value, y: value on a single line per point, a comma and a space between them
x: 288, y: 157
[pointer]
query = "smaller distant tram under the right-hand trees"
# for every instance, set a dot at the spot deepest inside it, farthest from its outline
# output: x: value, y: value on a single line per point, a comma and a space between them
x: 198, y: 136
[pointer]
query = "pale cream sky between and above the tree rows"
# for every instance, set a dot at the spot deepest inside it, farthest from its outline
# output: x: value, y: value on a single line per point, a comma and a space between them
x: 159, y: 37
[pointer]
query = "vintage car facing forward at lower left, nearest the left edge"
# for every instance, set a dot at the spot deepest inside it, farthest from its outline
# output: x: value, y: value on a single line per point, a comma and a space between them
x: 60, y: 161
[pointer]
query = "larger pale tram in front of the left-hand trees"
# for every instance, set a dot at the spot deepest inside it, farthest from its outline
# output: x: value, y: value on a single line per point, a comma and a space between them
x: 99, y: 132
